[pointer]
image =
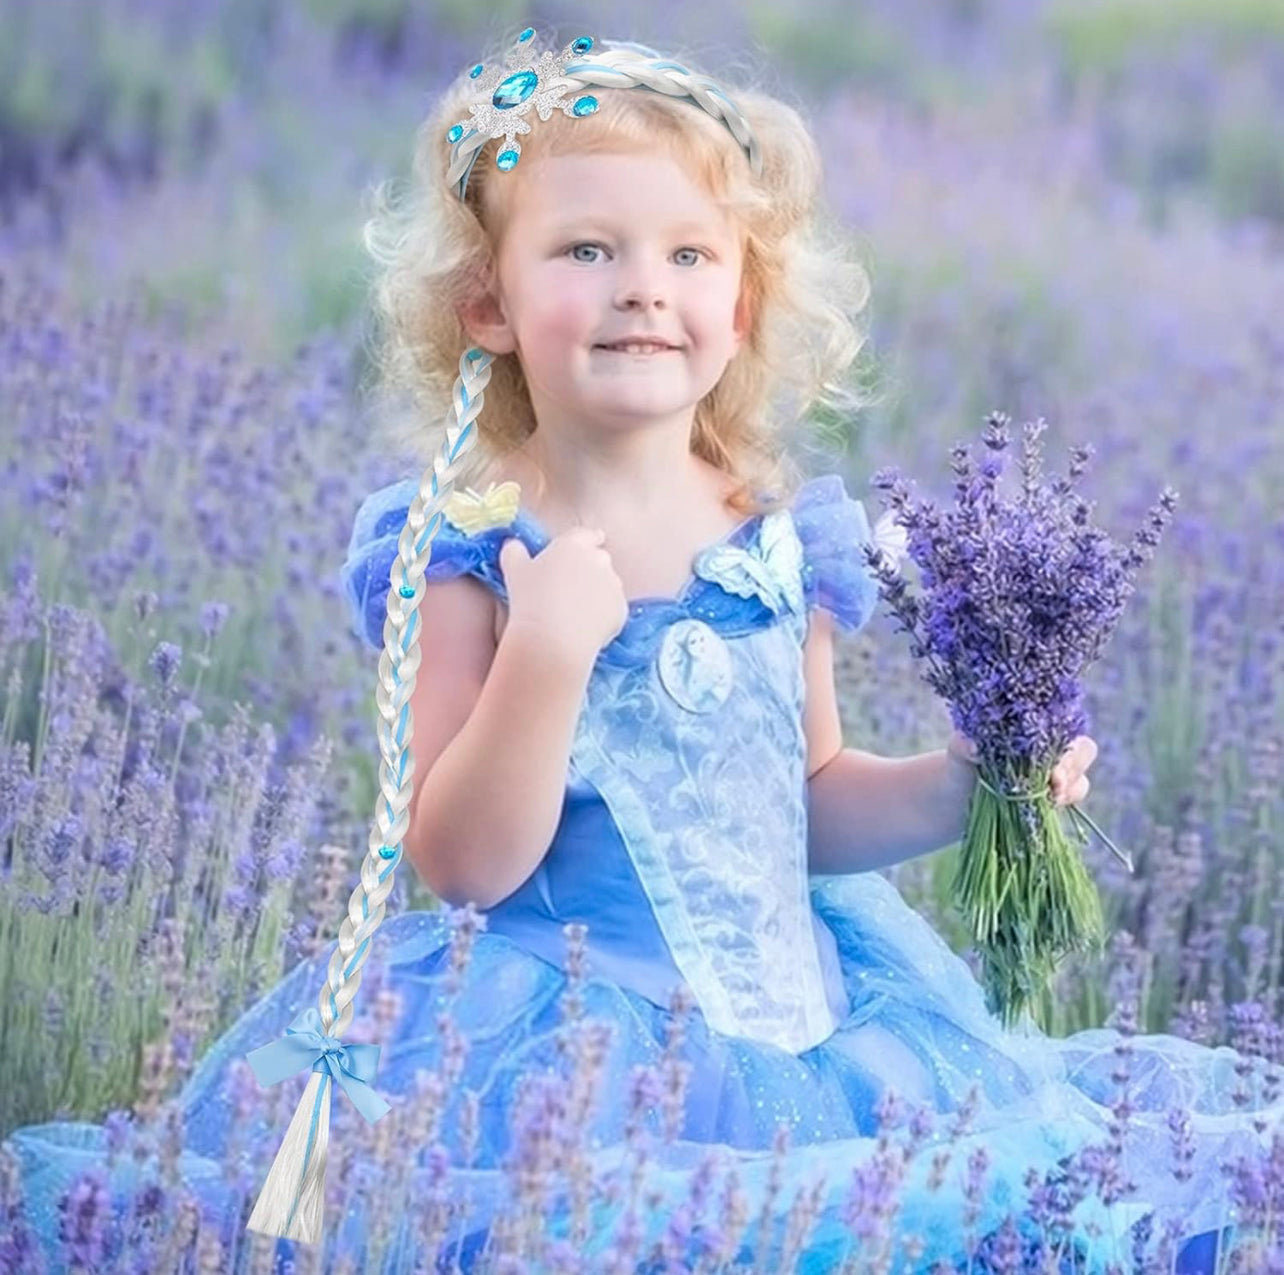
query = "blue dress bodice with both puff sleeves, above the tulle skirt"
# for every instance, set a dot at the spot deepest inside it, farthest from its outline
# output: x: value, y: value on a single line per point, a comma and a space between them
x: 682, y: 842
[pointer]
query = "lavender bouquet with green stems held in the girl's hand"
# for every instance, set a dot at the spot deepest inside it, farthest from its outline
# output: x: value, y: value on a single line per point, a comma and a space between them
x: 1019, y: 598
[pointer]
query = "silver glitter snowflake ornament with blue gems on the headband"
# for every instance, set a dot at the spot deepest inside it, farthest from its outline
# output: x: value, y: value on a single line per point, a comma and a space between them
x: 507, y: 96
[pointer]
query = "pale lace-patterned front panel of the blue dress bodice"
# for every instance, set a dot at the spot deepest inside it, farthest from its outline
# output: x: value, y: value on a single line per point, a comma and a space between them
x: 712, y: 808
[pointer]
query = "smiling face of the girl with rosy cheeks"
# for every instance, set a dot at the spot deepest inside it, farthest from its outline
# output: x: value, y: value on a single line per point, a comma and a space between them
x: 600, y: 248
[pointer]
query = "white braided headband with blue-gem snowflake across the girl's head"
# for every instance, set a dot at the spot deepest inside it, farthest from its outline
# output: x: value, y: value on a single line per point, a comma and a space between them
x: 546, y: 83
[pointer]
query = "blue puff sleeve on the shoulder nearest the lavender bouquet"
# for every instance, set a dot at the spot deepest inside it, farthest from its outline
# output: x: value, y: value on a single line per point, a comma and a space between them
x: 833, y: 528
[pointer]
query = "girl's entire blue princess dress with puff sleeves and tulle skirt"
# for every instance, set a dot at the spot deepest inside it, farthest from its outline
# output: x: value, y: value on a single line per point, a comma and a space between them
x: 682, y: 847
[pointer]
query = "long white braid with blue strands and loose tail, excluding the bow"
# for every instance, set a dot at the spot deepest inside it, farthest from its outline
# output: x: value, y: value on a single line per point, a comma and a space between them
x: 293, y: 1197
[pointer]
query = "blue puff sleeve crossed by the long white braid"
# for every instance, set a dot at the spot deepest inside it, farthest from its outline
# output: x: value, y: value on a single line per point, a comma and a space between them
x: 367, y: 576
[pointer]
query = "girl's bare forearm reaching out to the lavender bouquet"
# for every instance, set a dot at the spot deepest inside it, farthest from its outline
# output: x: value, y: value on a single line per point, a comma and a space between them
x: 867, y: 812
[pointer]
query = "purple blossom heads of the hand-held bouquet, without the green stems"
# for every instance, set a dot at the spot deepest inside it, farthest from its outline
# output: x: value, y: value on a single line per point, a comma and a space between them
x: 1019, y: 598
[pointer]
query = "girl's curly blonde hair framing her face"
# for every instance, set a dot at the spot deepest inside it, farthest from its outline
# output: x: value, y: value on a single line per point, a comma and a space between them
x: 803, y: 279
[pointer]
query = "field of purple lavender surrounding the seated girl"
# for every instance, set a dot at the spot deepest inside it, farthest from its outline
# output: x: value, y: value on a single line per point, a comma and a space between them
x: 1071, y: 211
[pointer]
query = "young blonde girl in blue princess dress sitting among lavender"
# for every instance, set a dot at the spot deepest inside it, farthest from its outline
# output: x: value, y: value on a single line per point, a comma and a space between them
x: 625, y: 718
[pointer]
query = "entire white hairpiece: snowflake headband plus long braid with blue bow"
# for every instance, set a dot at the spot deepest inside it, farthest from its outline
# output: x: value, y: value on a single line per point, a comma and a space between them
x: 293, y: 1197
